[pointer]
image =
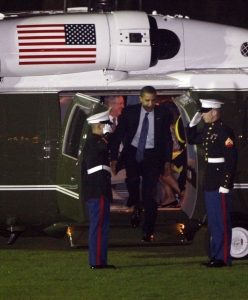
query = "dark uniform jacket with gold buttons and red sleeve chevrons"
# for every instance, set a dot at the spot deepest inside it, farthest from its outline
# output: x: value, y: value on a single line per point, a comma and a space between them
x: 219, y: 142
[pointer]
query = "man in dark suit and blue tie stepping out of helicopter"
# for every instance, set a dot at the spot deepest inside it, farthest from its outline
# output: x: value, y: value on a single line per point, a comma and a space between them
x: 155, y: 159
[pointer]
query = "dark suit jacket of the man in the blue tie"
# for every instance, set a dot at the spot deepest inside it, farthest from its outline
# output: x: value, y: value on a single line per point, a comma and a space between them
x: 128, y: 124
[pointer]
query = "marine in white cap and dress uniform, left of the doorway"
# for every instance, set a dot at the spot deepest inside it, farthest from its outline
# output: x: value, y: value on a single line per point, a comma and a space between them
x: 96, y: 185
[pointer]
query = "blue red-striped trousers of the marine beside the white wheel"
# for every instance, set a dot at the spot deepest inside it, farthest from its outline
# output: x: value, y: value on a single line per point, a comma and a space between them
x: 218, y: 206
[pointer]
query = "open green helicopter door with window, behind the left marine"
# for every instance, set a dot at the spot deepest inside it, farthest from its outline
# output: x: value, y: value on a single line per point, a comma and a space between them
x: 74, y: 133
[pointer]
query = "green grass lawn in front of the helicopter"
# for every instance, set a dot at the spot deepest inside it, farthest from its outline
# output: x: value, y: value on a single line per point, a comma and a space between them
x: 46, y: 268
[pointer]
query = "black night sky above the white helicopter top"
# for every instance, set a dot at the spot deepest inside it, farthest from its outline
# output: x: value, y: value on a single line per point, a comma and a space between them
x: 231, y: 12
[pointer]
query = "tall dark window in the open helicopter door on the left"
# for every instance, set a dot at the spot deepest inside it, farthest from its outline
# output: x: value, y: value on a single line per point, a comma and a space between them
x: 72, y: 141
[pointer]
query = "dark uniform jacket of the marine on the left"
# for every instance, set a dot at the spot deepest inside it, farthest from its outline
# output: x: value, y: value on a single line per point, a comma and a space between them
x: 96, y: 153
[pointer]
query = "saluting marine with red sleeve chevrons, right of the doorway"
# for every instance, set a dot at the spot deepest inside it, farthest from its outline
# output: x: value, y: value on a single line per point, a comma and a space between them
x: 220, y: 165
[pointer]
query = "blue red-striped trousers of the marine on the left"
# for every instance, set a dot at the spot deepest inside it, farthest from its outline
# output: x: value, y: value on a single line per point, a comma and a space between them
x: 99, y: 211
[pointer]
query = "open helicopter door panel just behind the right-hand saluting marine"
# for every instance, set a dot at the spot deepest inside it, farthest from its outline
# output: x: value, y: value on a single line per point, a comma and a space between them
x: 195, y: 155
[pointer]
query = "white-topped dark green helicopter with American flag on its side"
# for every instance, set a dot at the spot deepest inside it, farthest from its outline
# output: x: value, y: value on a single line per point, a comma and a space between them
x: 56, y: 66
